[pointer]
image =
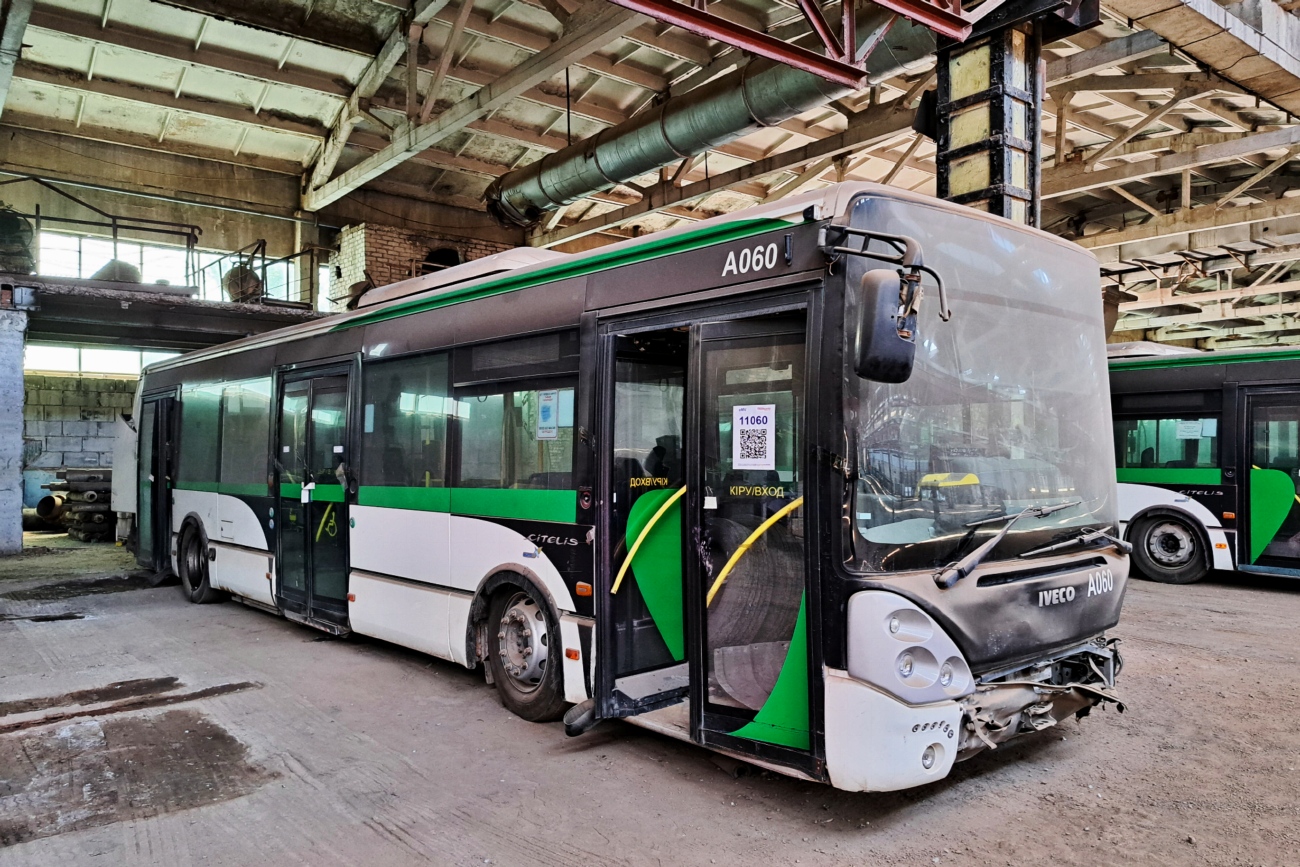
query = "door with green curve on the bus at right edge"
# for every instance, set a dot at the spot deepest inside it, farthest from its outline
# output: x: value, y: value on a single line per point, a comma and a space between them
x: 1273, y: 479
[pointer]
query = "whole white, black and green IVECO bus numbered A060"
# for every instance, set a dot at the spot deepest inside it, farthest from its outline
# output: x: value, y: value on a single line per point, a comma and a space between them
x: 826, y: 485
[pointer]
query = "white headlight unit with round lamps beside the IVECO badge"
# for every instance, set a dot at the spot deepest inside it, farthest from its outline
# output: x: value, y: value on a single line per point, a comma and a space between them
x: 898, y: 648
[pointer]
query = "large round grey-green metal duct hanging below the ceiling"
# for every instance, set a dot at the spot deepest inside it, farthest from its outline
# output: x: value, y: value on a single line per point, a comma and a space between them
x: 757, y: 96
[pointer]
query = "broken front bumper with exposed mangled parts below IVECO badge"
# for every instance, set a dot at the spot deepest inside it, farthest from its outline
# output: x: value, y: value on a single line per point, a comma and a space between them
x: 1039, y: 696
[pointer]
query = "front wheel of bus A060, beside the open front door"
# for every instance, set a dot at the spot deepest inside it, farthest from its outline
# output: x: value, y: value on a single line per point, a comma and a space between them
x: 523, y: 653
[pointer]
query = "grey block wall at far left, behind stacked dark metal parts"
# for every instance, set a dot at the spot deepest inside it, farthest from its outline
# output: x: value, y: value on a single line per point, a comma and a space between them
x: 68, y: 422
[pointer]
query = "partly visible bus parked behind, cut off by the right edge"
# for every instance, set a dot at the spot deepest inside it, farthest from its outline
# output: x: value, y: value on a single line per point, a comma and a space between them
x: 1208, y: 458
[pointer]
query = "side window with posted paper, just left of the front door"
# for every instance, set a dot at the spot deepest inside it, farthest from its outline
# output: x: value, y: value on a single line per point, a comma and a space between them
x: 518, y: 439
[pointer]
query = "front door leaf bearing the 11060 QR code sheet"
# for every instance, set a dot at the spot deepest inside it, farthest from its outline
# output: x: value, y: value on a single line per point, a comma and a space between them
x: 749, y: 530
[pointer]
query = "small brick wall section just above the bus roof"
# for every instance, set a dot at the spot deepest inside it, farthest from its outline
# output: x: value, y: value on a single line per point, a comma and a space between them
x: 392, y: 254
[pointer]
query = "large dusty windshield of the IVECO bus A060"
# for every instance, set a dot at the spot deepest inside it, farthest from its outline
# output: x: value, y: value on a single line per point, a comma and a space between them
x: 1007, y: 409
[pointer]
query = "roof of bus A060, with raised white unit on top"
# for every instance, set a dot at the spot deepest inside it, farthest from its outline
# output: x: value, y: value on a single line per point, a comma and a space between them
x: 820, y: 205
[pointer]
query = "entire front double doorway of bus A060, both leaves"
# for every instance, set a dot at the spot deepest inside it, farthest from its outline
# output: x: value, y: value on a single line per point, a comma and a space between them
x: 704, y: 628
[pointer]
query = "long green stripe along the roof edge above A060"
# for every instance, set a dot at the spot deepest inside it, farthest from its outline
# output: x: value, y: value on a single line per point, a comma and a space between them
x: 686, y: 242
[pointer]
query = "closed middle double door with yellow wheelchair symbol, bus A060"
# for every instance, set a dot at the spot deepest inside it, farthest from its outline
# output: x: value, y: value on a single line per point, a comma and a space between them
x: 314, y: 467
